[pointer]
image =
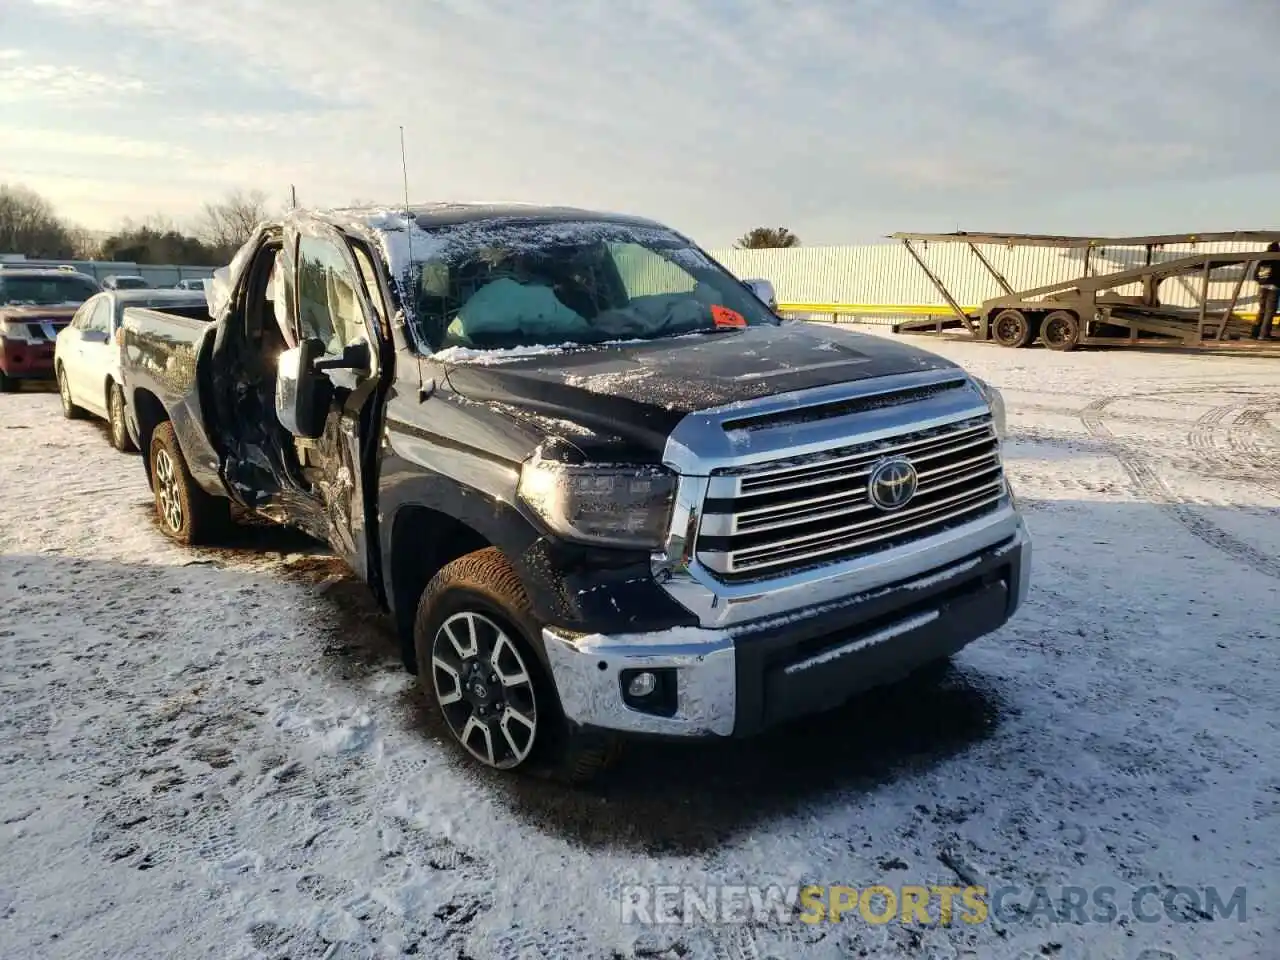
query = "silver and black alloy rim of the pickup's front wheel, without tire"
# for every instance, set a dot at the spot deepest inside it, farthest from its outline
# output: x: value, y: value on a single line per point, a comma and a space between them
x: 484, y: 689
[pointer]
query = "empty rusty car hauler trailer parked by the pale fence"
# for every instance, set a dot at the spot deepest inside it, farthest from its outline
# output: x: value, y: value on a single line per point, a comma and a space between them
x: 1089, y: 309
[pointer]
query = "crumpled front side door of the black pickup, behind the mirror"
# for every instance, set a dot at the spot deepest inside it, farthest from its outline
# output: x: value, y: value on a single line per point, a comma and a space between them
x: 331, y: 307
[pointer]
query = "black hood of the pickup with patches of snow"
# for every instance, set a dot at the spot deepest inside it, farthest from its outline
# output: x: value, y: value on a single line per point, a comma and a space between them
x: 638, y: 392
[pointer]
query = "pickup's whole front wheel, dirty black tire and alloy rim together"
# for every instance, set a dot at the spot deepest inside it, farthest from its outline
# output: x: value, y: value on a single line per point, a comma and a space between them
x: 483, y: 593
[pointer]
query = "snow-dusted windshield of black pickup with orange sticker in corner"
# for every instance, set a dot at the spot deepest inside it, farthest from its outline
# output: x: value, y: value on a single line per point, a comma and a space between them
x: 502, y: 285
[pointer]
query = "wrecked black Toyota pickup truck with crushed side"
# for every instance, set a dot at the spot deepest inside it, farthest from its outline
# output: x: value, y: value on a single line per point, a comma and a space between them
x: 601, y: 487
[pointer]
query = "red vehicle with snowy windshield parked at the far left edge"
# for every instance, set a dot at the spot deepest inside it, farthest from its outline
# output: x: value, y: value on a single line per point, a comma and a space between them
x: 35, y: 305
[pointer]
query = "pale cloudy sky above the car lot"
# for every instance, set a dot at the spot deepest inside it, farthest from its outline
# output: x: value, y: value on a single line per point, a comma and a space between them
x: 842, y: 120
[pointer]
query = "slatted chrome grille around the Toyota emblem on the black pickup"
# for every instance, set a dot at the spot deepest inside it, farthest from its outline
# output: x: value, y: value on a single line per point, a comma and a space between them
x: 784, y: 516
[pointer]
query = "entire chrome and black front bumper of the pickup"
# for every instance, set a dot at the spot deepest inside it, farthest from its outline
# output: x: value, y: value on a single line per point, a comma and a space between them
x: 742, y: 680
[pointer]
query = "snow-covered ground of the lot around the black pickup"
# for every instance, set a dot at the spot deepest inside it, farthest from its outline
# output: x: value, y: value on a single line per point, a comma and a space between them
x: 216, y: 755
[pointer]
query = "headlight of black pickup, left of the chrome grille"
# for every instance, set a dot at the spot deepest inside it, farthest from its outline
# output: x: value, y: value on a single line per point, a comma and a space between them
x: 618, y: 506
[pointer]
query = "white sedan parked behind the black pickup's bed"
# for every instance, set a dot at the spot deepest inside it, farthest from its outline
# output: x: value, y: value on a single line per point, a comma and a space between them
x: 88, y: 353
